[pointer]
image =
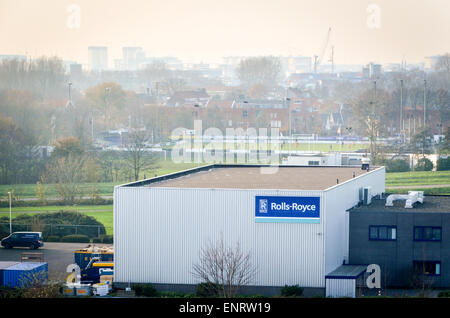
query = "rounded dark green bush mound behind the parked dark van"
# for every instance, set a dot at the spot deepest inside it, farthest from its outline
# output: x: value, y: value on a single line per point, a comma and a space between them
x: 62, y: 224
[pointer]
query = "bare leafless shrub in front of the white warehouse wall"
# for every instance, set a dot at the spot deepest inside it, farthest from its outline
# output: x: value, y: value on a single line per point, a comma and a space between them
x: 224, y: 269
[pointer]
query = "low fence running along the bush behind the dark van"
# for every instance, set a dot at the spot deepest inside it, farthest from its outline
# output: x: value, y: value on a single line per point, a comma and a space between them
x: 60, y: 229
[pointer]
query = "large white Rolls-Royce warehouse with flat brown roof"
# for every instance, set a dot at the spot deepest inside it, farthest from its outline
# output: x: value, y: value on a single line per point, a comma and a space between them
x: 293, y: 220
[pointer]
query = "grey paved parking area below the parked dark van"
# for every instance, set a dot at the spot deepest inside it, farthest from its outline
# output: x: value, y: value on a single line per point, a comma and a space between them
x: 57, y: 255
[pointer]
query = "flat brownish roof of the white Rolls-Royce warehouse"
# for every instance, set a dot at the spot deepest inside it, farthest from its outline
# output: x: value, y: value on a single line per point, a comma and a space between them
x: 248, y: 177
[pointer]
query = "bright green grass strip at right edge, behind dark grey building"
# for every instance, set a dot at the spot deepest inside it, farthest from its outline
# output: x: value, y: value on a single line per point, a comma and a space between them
x: 417, y: 178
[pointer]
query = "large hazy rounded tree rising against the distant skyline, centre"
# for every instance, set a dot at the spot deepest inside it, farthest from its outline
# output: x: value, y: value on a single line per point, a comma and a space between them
x: 259, y: 70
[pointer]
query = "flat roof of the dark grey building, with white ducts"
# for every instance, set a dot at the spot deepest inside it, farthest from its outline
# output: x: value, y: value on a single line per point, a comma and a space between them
x: 431, y: 203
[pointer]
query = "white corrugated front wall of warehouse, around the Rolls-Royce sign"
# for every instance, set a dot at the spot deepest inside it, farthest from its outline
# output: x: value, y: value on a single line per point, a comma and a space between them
x: 160, y: 231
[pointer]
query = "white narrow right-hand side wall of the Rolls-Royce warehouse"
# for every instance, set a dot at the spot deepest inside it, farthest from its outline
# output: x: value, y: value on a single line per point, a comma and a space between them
x: 337, y: 200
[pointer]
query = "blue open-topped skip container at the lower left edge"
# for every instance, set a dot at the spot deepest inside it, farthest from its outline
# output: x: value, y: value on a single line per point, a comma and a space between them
x: 23, y: 274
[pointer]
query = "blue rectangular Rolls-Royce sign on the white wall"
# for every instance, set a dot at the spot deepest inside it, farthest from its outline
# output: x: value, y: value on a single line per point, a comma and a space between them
x: 277, y: 209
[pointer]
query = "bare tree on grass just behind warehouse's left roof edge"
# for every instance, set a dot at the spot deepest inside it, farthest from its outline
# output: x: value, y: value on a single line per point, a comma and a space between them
x: 137, y: 159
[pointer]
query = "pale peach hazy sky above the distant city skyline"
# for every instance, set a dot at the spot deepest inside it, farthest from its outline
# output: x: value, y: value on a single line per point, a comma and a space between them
x: 207, y: 30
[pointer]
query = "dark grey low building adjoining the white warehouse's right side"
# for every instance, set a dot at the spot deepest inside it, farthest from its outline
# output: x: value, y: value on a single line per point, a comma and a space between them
x: 396, y: 257
